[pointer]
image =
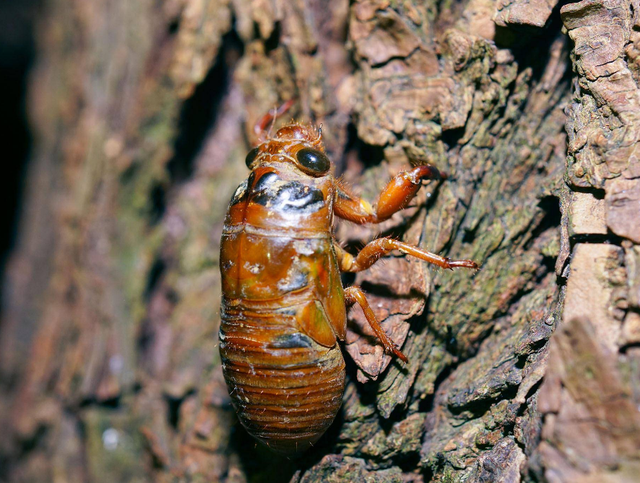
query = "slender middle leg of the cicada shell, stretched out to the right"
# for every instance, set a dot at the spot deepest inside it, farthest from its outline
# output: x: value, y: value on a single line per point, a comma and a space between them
x: 376, y: 249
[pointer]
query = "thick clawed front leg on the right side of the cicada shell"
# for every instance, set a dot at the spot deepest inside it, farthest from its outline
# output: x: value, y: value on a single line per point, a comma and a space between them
x: 394, y: 197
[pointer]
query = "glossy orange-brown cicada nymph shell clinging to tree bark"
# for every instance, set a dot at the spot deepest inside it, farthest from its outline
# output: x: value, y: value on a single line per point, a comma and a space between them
x: 283, y: 304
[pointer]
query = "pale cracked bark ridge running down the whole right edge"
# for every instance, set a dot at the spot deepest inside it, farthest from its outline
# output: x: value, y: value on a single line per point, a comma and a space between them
x: 589, y: 404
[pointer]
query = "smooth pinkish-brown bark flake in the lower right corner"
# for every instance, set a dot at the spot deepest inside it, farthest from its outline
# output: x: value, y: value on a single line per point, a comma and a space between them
x: 591, y: 427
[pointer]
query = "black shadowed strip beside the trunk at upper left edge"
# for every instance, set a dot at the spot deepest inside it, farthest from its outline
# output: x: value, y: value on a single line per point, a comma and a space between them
x: 17, y: 54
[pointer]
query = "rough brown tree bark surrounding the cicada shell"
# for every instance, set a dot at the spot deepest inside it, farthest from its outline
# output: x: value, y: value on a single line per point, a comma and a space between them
x: 142, y: 112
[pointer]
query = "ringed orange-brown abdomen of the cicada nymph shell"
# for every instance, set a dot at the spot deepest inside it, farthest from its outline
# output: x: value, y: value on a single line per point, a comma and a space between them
x: 286, y: 388
